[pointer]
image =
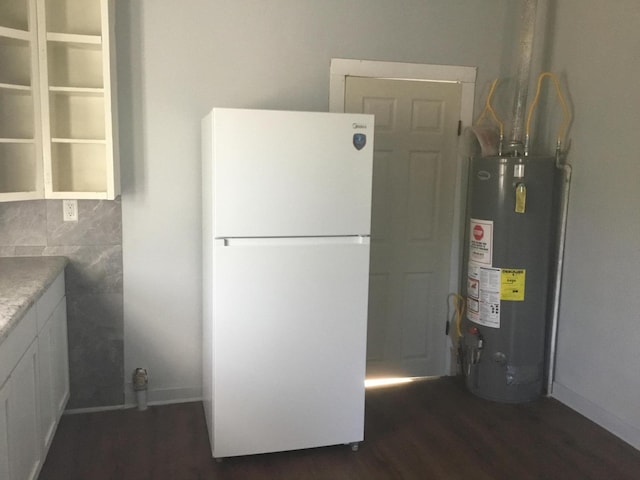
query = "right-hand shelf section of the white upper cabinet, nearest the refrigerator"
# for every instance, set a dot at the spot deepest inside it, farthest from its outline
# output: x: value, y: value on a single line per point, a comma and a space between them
x: 77, y: 72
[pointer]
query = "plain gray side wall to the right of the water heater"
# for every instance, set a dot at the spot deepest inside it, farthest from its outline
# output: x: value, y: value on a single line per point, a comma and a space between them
x: 596, y: 48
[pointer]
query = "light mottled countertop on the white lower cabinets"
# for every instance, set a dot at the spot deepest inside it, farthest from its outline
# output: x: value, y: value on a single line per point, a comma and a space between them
x: 23, y: 280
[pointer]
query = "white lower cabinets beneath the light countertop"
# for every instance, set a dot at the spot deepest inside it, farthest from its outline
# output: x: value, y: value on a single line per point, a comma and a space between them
x: 34, y: 385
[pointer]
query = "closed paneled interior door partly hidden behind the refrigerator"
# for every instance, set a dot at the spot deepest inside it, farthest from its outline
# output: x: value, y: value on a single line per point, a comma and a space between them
x: 414, y: 184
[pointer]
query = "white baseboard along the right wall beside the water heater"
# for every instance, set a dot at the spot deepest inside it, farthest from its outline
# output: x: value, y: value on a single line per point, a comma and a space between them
x: 595, y: 413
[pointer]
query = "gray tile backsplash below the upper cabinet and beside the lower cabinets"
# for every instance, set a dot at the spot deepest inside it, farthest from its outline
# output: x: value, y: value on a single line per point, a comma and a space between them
x: 93, y: 277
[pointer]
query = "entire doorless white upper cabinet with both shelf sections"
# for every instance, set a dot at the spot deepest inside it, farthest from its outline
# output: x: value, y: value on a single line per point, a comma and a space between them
x: 68, y: 131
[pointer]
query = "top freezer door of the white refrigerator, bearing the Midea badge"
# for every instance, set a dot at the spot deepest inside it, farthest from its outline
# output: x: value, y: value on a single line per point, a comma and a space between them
x: 283, y: 174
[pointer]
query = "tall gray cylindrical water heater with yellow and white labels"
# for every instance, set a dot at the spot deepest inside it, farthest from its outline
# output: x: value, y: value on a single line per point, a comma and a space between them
x: 508, y: 249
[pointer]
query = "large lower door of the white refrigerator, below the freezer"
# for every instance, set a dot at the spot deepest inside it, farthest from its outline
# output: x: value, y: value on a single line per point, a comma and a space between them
x: 289, y: 346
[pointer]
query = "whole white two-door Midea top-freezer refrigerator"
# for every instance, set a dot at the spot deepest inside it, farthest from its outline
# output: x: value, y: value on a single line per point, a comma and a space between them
x: 286, y: 225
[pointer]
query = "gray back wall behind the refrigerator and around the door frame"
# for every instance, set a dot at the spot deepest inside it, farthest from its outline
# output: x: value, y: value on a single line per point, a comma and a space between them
x: 179, y: 60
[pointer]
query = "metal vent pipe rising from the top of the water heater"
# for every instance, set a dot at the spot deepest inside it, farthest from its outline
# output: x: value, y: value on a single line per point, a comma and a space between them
x: 524, y: 68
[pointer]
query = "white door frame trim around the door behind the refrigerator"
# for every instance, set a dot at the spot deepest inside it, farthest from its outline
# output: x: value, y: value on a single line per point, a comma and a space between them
x: 342, y: 68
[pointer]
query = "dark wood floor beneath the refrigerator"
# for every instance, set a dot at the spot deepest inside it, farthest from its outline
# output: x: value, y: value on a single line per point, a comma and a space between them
x: 429, y: 429
